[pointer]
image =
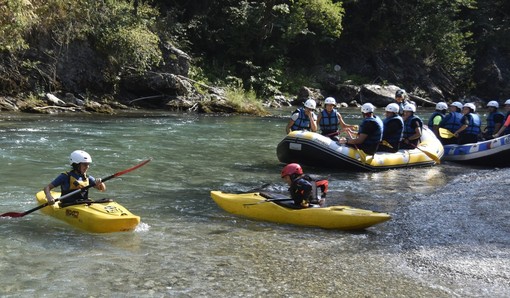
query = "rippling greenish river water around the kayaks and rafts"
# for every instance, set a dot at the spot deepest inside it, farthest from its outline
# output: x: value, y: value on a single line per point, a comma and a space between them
x: 449, y: 236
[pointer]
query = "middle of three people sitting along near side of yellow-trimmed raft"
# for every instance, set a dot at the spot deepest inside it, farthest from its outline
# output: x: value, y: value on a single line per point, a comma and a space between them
x: 393, y: 128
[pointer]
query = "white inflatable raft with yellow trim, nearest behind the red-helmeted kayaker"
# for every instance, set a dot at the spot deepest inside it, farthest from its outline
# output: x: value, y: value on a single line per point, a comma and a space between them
x: 314, y: 149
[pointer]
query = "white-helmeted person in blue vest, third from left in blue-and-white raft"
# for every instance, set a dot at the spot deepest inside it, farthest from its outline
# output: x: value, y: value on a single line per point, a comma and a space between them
x: 470, y: 128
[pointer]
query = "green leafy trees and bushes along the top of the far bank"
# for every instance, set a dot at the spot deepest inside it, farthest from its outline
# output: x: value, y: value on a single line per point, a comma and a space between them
x: 272, y: 46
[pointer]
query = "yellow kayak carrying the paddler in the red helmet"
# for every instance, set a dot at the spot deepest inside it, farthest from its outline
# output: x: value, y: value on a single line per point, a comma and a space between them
x: 254, y: 205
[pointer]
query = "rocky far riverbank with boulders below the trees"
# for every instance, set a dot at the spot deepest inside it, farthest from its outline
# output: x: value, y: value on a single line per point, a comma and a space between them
x: 79, y: 85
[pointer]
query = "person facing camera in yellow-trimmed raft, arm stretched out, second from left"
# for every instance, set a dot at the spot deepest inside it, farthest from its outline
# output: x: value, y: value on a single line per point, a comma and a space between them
x: 329, y: 119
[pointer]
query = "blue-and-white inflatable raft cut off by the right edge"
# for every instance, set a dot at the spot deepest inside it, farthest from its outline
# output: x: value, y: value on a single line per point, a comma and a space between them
x: 491, y: 153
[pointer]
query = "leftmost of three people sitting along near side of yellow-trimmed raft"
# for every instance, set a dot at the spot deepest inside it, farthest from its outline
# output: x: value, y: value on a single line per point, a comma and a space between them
x: 370, y: 131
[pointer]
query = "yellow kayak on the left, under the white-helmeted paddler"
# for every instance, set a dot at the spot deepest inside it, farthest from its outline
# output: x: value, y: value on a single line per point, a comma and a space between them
x: 96, y: 217
